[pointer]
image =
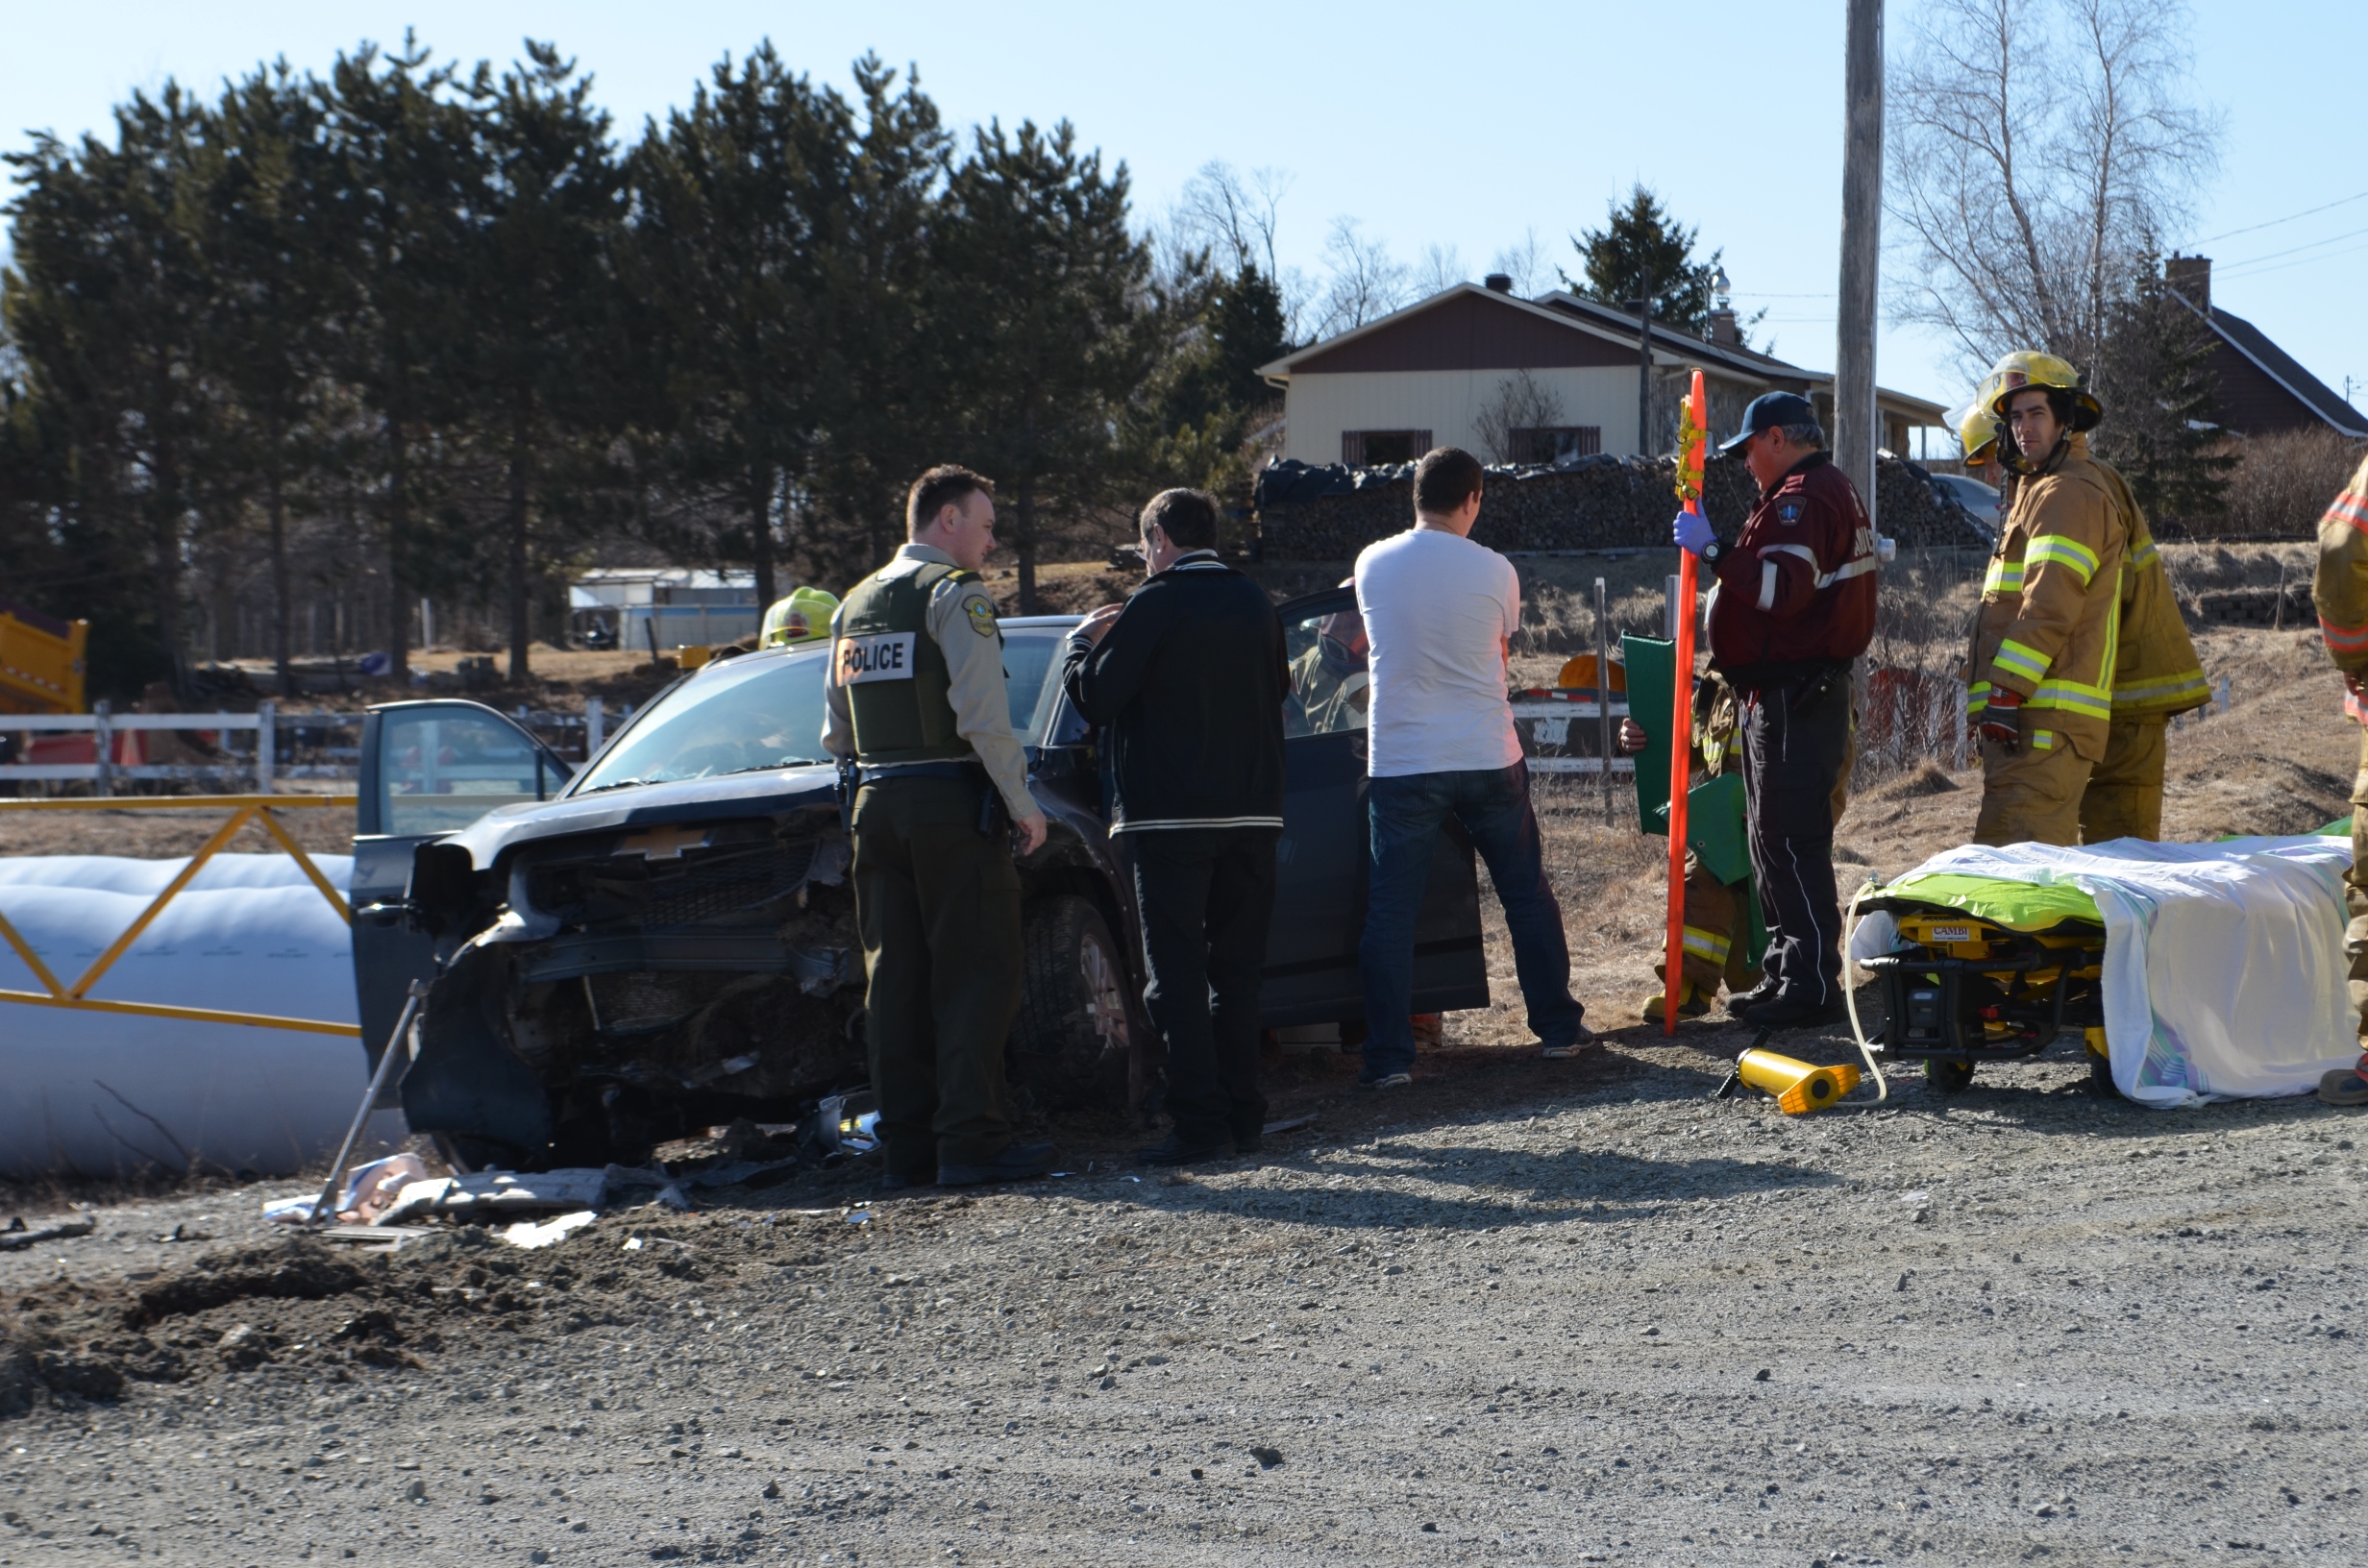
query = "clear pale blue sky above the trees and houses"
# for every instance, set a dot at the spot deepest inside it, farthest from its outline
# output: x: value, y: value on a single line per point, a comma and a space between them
x: 1429, y: 127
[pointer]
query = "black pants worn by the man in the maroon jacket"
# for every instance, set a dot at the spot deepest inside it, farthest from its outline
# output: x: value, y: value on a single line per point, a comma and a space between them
x: 1796, y: 740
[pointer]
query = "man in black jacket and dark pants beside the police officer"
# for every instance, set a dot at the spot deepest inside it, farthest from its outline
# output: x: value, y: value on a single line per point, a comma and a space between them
x: 1188, y: 683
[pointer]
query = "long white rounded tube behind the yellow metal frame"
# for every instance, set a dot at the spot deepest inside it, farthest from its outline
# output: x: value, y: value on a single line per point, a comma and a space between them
x: 91, y: 1093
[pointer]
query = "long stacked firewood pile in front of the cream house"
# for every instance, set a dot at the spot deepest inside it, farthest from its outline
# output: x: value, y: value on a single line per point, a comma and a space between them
x: 1600, y: 503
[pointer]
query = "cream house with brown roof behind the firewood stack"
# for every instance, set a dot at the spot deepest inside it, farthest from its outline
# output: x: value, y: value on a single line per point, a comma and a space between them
x: 1439, y: 371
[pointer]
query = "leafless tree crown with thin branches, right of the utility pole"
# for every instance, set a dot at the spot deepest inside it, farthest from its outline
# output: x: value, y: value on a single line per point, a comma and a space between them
x: 2040, y: 155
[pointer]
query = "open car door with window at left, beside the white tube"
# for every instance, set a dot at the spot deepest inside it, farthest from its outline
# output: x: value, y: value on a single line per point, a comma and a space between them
x: 430, y: 769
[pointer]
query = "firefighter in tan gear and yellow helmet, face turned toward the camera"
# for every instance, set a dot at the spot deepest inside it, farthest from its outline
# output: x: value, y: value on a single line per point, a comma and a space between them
x: 2045, y: 648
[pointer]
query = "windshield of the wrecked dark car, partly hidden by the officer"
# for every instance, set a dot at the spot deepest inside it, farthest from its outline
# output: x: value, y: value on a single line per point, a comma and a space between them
x: 766, y: 712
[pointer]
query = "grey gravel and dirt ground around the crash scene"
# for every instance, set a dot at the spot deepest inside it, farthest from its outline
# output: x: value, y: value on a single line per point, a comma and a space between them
x: 1524, y: 1311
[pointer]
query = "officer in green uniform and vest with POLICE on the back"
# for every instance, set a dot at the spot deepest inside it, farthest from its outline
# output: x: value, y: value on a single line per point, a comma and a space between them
x: 918, y: 702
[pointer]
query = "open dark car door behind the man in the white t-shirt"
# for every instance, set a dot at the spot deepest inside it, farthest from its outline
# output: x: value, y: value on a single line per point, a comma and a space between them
x: 1323, y: 861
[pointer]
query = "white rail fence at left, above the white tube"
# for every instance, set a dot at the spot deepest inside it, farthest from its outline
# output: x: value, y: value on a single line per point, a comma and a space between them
x: 579, y: 738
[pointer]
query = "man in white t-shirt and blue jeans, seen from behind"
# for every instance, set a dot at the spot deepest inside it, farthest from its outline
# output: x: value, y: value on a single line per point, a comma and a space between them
x: 1441, y: 612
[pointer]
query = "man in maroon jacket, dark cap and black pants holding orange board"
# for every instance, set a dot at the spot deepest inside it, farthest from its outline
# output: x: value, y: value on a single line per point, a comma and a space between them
x: 1794, y: 608
